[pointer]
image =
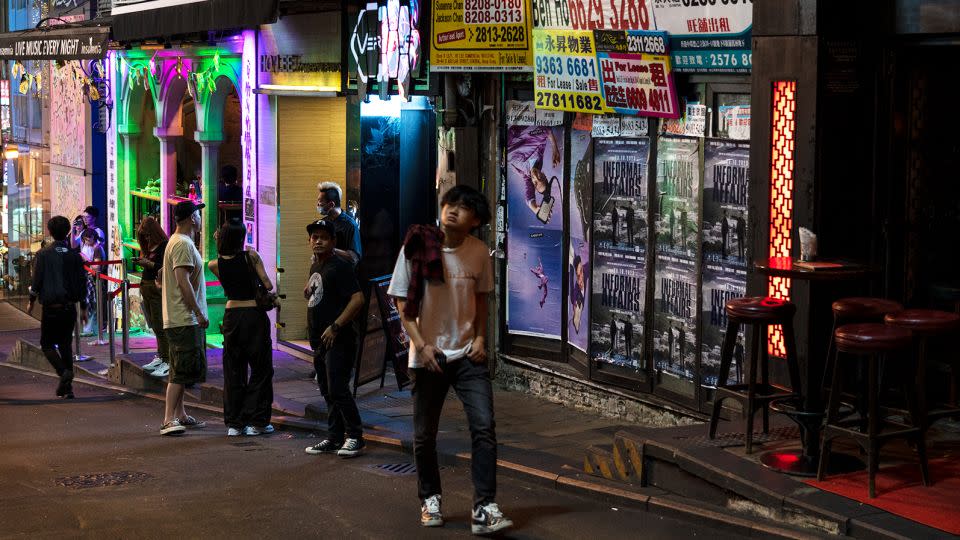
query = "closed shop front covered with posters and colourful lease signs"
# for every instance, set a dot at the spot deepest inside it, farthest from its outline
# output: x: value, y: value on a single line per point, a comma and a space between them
x: 625, y: 193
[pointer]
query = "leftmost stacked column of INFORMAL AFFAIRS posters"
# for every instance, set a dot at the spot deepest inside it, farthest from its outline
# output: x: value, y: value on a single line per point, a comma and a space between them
x: 620, y: 247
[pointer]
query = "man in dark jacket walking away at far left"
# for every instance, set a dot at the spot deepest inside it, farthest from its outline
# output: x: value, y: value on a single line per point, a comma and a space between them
x: 59, y: 281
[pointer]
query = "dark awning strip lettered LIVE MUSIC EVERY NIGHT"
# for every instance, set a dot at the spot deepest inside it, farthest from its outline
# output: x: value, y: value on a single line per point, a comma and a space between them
x: 75, y: 43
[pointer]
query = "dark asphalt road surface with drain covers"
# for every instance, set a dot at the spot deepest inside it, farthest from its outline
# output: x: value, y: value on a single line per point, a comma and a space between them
x: 205, y: 485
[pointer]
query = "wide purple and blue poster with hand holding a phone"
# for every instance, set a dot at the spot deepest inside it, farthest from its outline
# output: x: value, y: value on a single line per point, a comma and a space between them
x: 535, y: 235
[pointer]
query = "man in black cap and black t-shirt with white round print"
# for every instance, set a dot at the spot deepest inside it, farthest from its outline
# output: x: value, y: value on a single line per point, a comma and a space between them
x: 333, y: 301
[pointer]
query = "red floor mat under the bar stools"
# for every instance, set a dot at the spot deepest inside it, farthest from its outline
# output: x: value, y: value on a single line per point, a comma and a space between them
x: 900, y: 492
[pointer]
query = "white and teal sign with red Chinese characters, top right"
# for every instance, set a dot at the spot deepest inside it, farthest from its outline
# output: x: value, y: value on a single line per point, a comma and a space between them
x: 711, y: 38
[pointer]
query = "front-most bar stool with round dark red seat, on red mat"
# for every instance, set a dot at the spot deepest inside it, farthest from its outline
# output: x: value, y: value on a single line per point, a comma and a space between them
x: 870, y: 340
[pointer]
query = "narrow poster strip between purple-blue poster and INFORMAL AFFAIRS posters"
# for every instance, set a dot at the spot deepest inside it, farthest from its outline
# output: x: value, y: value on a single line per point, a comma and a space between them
x: 581, y: 214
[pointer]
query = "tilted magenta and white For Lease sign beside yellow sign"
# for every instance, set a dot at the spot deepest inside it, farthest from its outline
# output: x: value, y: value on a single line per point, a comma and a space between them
x: 636, y: 74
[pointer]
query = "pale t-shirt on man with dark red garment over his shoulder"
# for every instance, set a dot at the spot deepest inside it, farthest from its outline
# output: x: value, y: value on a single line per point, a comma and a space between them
x: 447, y: 309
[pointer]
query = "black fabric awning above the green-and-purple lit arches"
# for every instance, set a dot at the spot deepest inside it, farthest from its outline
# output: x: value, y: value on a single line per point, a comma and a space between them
x: 135, y: 20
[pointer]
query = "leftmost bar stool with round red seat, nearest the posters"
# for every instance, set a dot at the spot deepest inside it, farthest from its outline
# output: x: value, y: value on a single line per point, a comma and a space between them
x: 758, y: 312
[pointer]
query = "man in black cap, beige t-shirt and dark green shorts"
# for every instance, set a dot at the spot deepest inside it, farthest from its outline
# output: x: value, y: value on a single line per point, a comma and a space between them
x: 184, y: 316
